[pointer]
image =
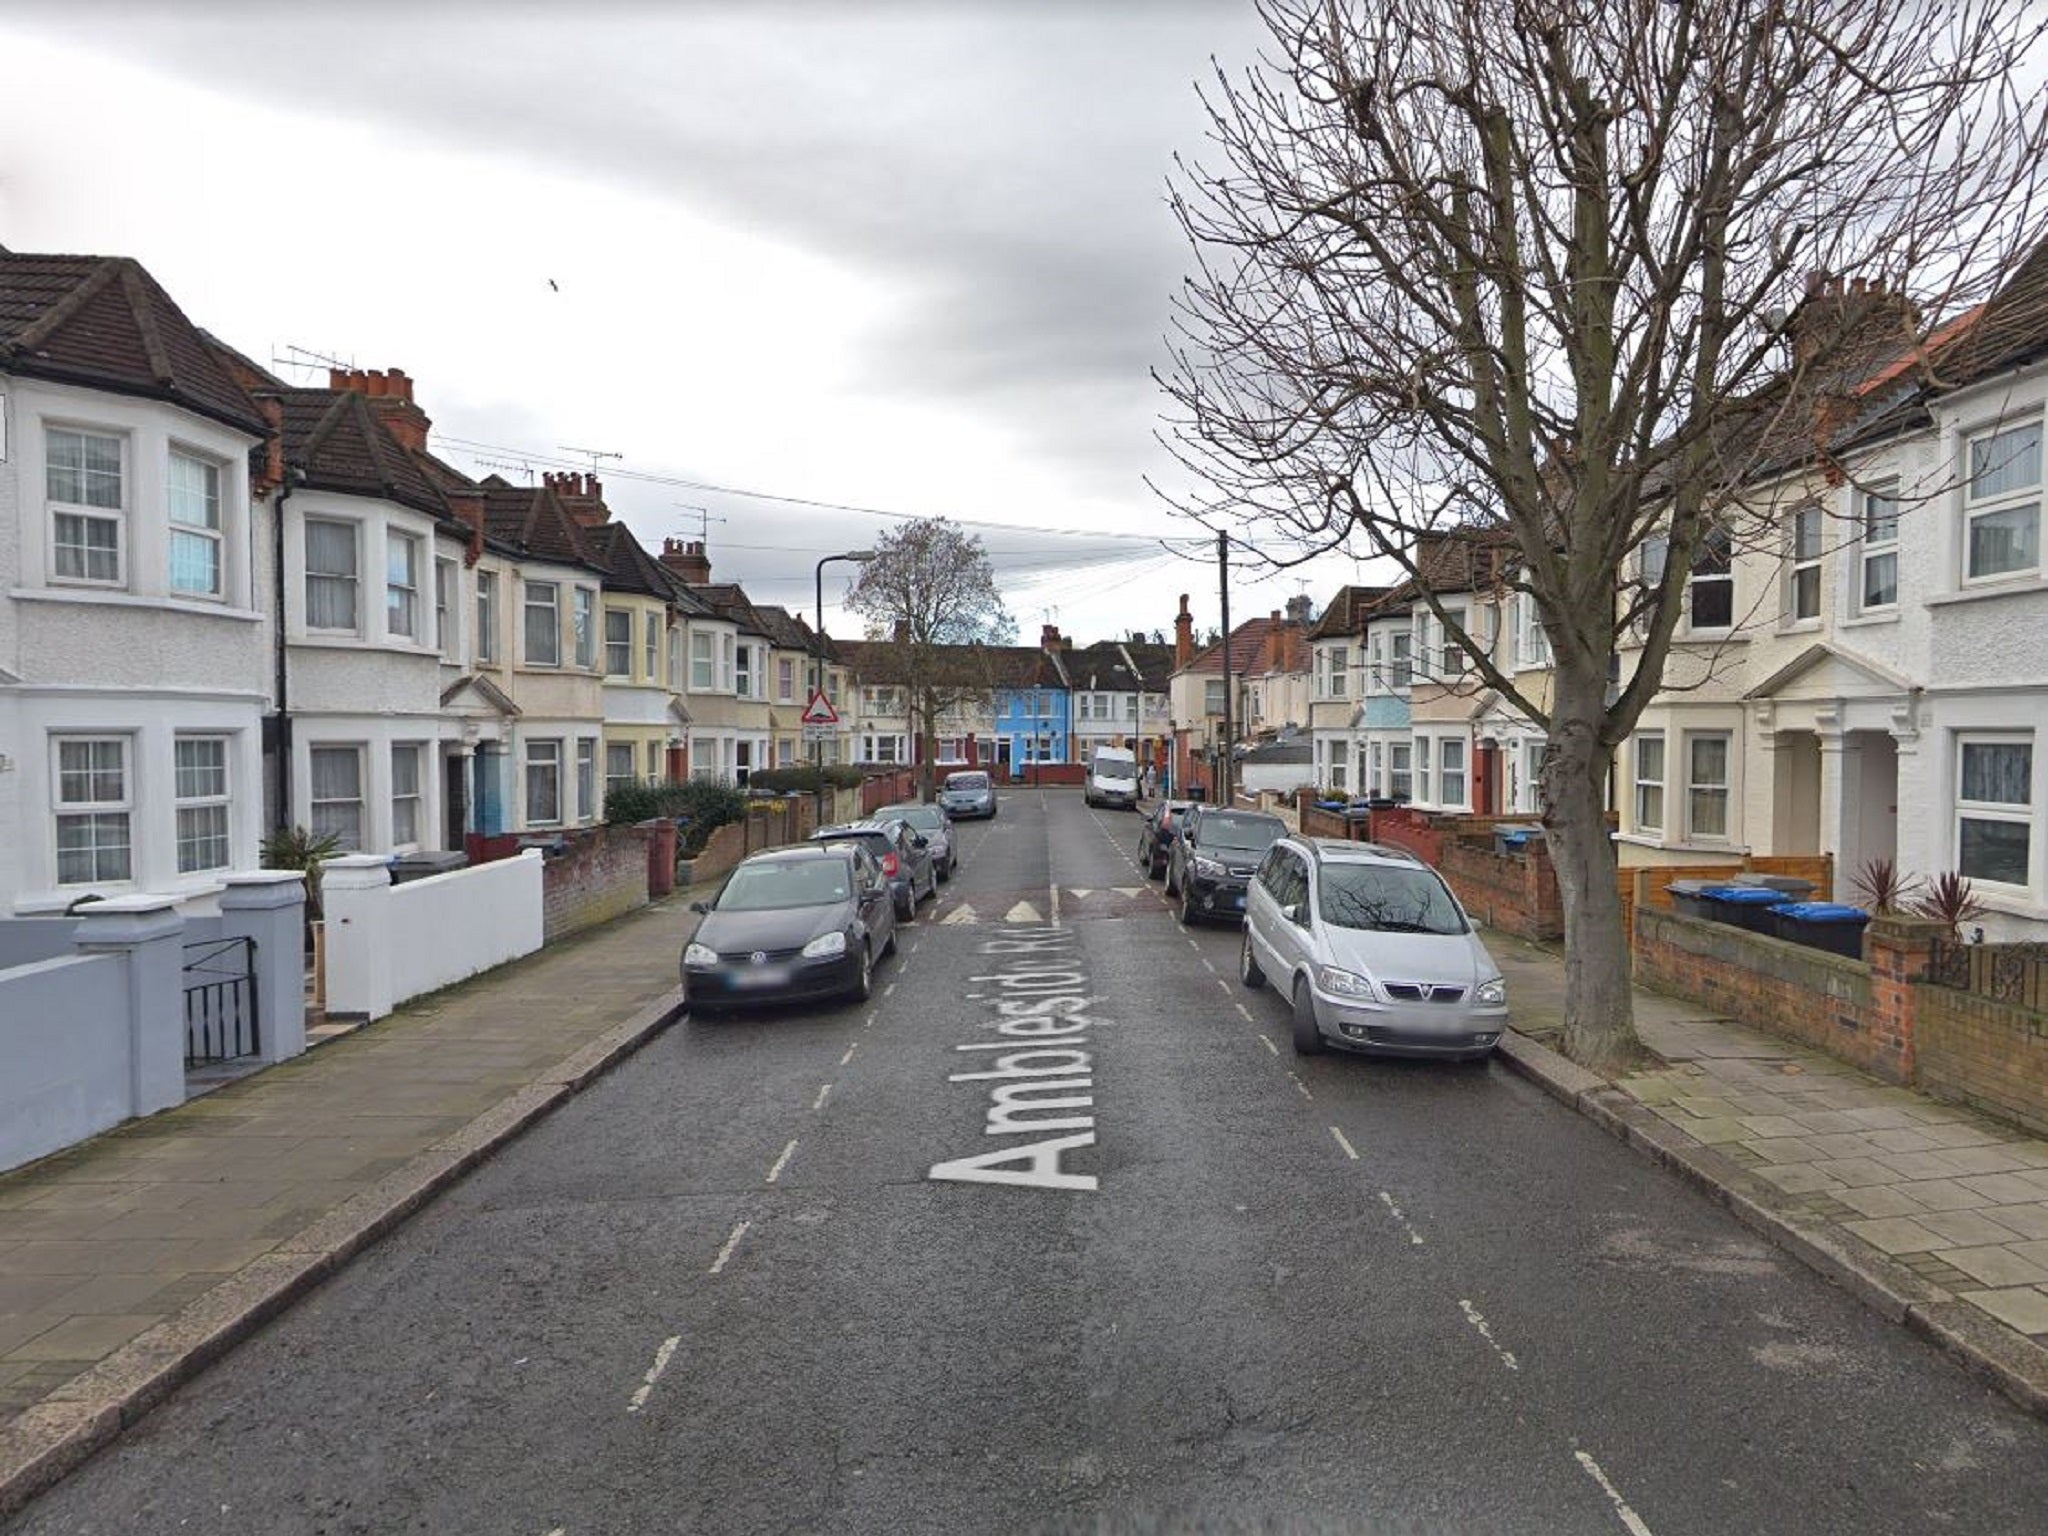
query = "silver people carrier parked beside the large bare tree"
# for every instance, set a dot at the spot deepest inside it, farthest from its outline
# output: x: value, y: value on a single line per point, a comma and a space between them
x: 1371, y: 951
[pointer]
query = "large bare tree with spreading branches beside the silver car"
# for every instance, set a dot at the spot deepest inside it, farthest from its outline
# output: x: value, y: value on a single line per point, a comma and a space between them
x: 1525, y: 267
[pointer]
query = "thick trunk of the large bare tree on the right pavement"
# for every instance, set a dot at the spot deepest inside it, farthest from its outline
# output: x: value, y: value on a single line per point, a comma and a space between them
x: 1601, y: 1027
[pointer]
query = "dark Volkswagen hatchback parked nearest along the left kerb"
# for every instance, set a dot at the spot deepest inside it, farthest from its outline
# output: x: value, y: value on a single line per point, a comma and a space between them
x: 792, y: 925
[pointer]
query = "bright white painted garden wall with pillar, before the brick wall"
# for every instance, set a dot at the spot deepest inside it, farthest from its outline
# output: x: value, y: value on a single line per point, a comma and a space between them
x: 388, y: 943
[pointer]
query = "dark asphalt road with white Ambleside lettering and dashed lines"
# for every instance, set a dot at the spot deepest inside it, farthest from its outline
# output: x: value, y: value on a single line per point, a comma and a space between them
x: 1236, y: 1291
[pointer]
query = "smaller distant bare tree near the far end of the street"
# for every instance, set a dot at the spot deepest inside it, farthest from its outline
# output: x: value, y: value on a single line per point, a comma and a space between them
x: 933, y: 609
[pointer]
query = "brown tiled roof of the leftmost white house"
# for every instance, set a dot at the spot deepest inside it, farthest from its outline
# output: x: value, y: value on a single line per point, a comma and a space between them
x: 108, y: 325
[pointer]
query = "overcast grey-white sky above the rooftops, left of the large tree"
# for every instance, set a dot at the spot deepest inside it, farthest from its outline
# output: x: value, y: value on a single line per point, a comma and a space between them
x: 904, y: 257
